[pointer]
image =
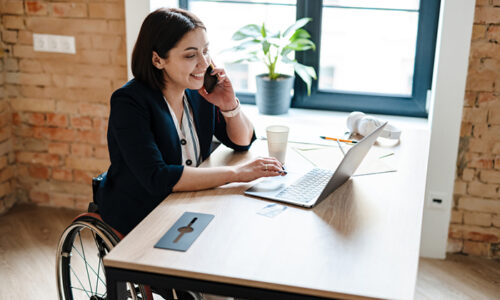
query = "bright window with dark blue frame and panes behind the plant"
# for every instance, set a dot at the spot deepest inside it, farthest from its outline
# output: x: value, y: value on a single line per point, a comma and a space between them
x: 372, y: 55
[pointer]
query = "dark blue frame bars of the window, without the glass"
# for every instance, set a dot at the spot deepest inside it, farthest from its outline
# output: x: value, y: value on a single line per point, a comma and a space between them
x: 414, y: 105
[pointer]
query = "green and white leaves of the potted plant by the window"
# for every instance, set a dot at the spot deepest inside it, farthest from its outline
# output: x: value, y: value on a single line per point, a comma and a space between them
x: 257, y: 43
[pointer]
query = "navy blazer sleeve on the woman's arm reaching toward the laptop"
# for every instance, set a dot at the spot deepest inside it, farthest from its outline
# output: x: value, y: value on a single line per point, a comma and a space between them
x: 130, y: 126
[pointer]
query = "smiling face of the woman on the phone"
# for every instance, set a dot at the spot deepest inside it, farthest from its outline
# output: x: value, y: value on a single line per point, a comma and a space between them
x: 186, y: 63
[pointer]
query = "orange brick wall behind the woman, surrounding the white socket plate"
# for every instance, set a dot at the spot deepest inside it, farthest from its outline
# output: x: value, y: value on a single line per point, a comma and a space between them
x: 60, y: 102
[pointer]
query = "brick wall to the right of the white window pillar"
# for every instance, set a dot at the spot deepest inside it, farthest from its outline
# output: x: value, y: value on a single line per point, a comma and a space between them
x: 475, y: 219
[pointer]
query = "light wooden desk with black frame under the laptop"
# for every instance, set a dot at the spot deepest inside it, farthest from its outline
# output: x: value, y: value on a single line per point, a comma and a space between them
x: 361, y: 242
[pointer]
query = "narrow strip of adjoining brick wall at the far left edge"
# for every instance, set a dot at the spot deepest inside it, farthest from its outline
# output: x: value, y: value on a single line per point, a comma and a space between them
x: 7, y: 166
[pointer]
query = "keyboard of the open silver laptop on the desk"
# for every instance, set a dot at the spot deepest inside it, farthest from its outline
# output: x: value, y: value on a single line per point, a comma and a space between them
x: 307, y: 187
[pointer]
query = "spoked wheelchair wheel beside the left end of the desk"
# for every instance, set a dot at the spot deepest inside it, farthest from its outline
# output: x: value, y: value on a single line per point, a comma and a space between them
x: 79, y: 265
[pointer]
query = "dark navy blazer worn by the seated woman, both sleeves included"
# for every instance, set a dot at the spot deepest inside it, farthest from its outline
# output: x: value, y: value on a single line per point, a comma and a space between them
x: 145, y: 151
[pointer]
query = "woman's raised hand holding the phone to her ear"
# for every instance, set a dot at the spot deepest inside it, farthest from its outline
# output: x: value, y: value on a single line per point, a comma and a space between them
x: 223, y: 94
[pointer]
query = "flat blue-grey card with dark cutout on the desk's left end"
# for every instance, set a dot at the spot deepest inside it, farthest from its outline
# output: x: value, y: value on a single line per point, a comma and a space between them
x: 184, y: 232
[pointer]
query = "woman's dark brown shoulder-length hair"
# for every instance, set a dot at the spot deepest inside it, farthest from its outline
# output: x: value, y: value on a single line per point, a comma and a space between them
x: 160, y: 32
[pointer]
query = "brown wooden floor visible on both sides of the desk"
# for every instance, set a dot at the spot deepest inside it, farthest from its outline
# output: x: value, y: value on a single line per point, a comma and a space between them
x: 29, y: 235
